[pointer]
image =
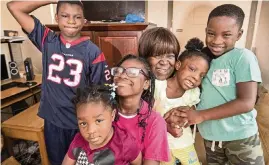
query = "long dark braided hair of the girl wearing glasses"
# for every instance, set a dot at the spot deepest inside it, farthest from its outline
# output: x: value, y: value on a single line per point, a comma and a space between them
x: 147, y: 95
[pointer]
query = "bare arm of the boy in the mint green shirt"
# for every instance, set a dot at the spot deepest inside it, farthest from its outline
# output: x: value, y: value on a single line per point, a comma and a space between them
x: 245, y: 101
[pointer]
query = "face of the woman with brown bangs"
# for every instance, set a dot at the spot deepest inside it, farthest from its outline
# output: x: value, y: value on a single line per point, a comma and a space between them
x: 162, y: 66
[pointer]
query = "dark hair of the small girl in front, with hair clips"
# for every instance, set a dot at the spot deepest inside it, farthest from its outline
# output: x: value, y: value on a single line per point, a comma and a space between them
x: 95, y: 94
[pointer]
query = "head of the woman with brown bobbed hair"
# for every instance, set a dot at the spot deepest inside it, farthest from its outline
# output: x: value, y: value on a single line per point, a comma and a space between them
x: 161, y: 48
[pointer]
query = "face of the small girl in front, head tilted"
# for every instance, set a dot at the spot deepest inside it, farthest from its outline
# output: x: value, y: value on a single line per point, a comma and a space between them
x: 95, y: 123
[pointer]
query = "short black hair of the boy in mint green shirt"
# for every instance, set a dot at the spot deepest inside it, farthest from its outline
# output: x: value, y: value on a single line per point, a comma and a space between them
x: 228, y: 10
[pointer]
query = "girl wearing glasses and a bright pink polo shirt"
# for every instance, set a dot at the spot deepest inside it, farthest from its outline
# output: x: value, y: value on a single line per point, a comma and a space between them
x: 135, y: 90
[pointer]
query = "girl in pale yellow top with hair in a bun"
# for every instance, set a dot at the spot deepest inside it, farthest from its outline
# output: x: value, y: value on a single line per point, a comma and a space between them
x: 182, y: 90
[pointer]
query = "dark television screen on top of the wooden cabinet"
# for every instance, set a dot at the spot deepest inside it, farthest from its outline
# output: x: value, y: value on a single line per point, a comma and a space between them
x: 112, y: 10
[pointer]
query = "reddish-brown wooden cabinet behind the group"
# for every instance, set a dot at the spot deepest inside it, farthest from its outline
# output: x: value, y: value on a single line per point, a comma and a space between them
x: 114, y: 39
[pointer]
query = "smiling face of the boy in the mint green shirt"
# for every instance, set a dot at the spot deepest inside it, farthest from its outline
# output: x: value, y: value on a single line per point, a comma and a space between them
x: 221, y: 34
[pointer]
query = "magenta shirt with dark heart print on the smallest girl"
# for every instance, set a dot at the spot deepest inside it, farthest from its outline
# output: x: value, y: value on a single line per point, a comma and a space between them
x: 120, y: 150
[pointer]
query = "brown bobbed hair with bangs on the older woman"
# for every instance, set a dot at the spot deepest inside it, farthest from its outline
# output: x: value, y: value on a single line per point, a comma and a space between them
x: 158, y: 41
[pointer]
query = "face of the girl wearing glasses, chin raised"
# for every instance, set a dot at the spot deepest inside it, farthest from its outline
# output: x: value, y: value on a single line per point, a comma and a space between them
x: 131, y: 86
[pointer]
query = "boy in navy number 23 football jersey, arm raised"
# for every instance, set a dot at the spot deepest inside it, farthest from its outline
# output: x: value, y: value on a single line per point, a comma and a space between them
x: 69, y: 61
